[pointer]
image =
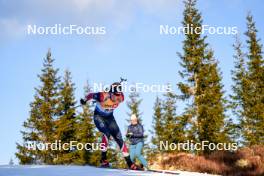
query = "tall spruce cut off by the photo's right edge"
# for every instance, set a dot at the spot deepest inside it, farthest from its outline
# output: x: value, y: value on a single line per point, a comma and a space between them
x: 253, y: 120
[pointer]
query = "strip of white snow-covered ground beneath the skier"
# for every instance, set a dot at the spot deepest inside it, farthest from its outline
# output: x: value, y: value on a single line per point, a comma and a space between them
x: 44, y: 170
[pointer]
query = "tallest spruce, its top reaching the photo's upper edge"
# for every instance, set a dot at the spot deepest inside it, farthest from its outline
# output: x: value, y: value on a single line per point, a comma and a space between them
x: 194, y: 48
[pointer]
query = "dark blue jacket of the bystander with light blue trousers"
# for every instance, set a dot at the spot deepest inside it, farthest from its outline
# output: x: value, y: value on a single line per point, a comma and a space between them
x: 138, y: 133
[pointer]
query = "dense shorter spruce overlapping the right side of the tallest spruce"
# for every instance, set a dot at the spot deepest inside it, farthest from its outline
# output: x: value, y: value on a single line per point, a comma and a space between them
x: 210, y: 104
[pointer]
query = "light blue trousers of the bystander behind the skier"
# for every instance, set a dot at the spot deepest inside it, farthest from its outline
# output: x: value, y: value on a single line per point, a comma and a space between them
x: 136, y: 152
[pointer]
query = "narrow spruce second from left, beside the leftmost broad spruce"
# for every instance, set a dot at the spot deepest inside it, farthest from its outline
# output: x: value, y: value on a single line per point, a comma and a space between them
x: 65, y: 124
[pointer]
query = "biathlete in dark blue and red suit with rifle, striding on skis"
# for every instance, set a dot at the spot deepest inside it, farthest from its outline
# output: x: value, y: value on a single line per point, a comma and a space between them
x: 105, y: 121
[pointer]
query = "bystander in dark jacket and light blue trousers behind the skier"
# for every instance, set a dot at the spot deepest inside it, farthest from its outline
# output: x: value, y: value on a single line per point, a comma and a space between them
x: 135, y: 134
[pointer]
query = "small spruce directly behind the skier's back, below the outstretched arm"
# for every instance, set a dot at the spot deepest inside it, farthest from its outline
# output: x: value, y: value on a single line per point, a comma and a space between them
x: 87, y: 133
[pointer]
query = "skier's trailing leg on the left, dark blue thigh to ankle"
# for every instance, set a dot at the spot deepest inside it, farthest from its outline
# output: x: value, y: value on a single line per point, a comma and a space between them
x: 102, y: 127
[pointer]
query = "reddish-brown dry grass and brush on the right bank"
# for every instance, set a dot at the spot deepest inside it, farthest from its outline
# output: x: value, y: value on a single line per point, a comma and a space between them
x: 243, y: 162
